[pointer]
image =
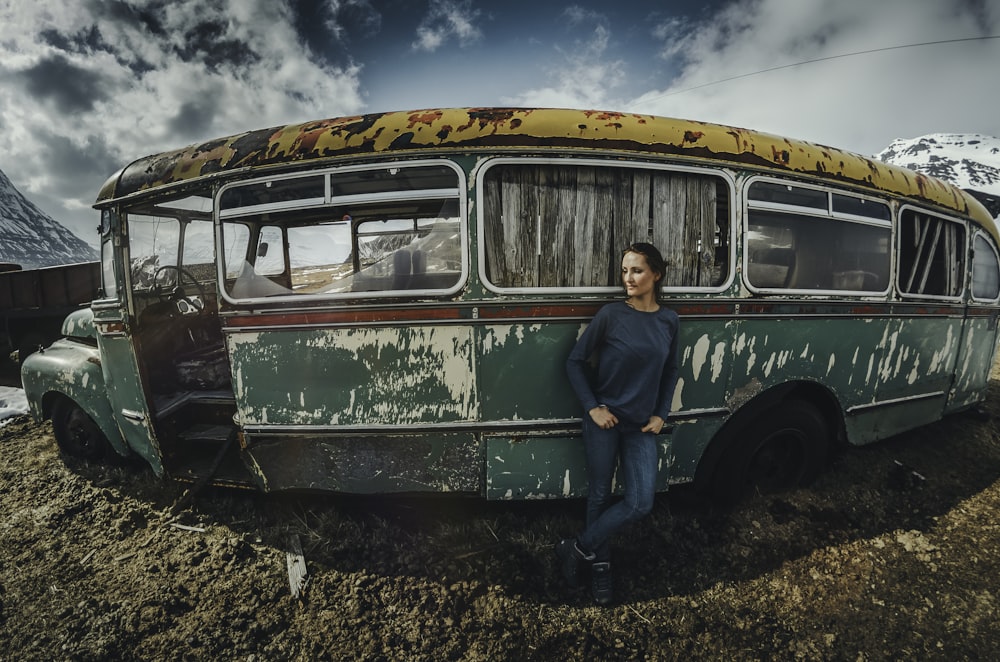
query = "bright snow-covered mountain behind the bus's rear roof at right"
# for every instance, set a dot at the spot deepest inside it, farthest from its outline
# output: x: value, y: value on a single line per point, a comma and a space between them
x: 968, y: 160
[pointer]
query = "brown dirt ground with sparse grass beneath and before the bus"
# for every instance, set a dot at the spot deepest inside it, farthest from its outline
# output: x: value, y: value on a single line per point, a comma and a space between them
x: 893, y: 553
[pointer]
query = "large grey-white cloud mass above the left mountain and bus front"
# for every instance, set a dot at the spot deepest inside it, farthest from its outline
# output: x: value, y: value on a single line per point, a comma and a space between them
x: 98, y: 84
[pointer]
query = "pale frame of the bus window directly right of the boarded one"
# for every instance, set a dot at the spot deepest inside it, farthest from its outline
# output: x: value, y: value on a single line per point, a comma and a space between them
x: 815, y: 212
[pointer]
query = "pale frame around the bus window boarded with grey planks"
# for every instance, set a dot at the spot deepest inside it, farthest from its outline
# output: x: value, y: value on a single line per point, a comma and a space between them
x: 482, y: 168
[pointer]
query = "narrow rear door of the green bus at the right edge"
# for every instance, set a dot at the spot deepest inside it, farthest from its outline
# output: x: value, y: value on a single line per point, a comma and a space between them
x: 977, y: 345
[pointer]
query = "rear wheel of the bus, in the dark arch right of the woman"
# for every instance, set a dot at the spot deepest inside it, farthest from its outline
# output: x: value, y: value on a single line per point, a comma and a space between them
x: 784, y: 447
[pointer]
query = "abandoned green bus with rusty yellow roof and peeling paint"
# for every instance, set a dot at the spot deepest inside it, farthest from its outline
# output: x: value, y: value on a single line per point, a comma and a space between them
x: 385, y: 303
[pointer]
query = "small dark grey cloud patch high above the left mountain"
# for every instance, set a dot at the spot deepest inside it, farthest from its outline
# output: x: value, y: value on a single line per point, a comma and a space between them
x: 72, y: 89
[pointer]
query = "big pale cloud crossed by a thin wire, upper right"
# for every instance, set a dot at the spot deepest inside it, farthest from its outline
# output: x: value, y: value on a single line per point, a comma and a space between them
x: 858, y: 102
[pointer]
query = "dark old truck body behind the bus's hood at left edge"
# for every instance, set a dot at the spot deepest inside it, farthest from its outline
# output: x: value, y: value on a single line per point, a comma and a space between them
x: 34, y: 302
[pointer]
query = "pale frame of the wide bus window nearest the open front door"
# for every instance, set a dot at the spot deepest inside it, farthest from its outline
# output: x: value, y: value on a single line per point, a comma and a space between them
x: 458, y: 193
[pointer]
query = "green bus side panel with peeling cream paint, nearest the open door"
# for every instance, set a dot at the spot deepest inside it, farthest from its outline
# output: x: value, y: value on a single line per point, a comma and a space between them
x: 375, y: 377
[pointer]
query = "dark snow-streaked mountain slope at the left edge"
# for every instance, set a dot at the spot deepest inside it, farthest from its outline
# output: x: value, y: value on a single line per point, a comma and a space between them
x: 32, y: 238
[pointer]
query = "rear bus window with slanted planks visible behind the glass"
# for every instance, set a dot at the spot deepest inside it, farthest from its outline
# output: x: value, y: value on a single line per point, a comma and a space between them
x: 931, y: 255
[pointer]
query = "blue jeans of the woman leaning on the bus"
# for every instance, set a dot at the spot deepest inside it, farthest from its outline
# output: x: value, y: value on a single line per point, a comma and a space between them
x: 637, y: 452
